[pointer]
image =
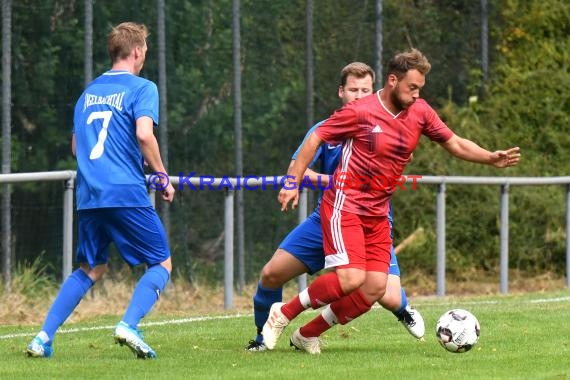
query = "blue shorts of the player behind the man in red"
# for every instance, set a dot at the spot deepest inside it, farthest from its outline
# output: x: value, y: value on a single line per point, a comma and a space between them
x: 305, y: 243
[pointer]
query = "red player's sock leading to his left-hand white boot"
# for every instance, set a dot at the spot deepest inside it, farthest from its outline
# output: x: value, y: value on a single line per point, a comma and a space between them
x: 322, y: 291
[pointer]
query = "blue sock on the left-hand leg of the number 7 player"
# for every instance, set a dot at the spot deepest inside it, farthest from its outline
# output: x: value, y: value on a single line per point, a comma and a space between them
x: 69, y: 296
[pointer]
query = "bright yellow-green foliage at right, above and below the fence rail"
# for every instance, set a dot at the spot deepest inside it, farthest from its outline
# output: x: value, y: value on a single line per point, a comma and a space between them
x: 525, y: 105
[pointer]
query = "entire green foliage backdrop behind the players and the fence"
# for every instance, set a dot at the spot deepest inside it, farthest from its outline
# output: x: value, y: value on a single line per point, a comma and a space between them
x: 525, y: 103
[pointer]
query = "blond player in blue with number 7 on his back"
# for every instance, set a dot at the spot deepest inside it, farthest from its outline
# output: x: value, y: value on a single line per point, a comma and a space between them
x: 112, y: 139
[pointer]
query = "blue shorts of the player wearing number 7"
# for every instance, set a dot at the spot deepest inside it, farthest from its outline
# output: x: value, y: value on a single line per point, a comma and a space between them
x: 137, y: 232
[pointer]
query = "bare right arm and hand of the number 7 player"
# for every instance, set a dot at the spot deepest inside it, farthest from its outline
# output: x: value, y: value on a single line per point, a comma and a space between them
x: 151, y: 152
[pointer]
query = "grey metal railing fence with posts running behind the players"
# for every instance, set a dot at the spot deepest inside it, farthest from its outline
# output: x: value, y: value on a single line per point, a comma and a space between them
x: 68, y: 177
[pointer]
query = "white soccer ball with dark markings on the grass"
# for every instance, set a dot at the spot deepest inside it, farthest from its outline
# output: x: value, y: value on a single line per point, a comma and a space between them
x: 457, y: 330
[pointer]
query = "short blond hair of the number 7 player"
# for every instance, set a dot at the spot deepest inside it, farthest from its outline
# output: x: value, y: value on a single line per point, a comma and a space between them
x: 124, y: 37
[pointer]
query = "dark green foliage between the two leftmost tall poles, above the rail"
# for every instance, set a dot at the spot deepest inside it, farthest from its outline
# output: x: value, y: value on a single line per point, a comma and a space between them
x: 46, y: 58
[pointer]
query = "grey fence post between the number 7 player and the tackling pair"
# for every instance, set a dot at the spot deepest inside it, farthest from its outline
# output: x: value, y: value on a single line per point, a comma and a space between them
x: 229, y: 249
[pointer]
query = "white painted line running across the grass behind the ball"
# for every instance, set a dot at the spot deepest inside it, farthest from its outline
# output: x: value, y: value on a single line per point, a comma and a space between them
x: 233, y: 316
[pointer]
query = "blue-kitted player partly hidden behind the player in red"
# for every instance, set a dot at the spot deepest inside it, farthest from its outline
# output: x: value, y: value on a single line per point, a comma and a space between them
x: 302, y: 249
